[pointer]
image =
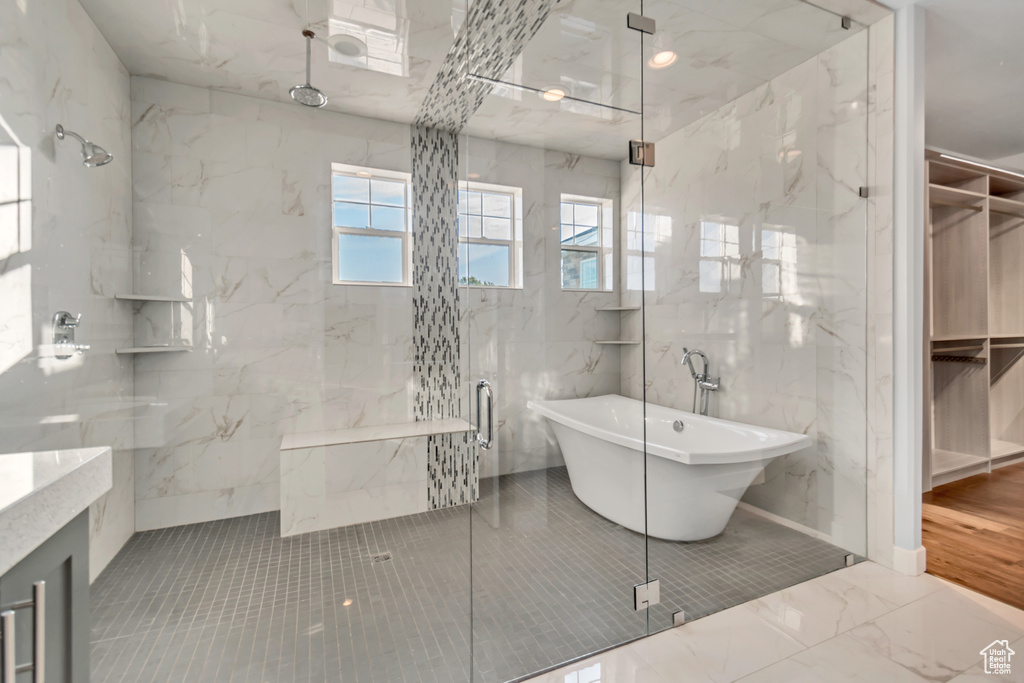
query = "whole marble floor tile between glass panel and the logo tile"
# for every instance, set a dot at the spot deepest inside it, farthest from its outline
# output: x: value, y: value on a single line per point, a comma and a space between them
x: 819, y: 610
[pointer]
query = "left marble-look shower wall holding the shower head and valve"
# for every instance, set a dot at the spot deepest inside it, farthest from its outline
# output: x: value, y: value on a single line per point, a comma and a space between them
x: 65, y: 244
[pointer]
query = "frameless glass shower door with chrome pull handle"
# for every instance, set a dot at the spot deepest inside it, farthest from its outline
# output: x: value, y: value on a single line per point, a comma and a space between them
x: 559, y: 540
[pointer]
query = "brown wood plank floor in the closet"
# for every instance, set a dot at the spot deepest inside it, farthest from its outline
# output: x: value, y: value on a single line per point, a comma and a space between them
x: 974, y: 533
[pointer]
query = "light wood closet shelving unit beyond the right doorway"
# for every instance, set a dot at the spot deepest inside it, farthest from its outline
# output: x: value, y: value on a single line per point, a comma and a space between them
x: 975, y: 320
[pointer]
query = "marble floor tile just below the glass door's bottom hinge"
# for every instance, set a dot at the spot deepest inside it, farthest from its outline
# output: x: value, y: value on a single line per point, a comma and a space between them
x: 721, y: 648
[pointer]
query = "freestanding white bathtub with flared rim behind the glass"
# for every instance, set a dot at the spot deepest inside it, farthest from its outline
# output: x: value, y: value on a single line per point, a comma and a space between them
x: 696, y: 478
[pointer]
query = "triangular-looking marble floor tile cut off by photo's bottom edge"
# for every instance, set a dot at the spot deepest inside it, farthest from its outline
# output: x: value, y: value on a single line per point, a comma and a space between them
x: 839, y: 659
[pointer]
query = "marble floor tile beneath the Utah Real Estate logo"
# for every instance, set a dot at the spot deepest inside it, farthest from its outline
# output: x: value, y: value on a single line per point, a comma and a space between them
x: 938, y: 636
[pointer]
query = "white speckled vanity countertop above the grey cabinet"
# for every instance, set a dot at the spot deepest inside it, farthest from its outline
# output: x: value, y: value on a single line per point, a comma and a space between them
x: 42, y: 492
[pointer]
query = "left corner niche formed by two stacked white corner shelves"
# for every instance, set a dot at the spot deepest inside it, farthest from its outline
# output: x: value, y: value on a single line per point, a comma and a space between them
x: 160, y: 324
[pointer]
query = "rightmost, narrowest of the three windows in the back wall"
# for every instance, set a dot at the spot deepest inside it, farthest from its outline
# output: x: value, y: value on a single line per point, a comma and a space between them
x: 586, y: 243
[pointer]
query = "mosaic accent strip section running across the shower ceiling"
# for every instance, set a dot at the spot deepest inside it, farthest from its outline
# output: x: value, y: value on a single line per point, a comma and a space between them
x: 489, y: 42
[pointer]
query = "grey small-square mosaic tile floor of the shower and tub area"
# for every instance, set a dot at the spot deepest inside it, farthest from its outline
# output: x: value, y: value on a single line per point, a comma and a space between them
x: 232, y: 602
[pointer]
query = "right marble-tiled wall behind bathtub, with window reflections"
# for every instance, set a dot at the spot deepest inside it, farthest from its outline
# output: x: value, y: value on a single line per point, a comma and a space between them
x: 779, y: 296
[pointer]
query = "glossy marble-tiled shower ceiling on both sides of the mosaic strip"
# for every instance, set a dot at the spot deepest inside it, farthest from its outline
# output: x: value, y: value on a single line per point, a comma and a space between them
x: 254, y: 48
